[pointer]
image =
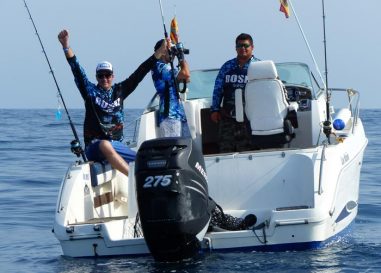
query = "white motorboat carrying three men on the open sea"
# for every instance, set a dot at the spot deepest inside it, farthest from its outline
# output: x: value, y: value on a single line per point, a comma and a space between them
x: 304, y: 193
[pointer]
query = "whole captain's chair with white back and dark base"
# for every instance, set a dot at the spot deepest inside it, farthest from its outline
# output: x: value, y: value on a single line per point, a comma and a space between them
x: 266, y: 107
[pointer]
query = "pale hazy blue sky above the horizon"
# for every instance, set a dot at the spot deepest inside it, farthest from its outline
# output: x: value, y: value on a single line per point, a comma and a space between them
x: 124, y: 32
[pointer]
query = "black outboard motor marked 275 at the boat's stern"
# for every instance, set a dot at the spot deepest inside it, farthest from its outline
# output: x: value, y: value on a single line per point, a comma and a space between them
x: 172, y: 195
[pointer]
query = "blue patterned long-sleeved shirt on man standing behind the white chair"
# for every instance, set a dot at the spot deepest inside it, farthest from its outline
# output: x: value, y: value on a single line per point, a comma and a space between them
x: 229, y: 78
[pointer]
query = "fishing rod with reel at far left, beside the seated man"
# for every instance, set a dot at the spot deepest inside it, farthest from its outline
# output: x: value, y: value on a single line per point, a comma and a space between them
x: 75, y: 144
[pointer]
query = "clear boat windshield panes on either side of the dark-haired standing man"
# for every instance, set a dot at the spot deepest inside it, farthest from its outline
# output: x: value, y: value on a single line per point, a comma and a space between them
x: 202, y: 81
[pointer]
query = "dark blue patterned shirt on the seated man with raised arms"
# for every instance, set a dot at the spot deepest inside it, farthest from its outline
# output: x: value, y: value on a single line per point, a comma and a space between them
x: 104, y: 109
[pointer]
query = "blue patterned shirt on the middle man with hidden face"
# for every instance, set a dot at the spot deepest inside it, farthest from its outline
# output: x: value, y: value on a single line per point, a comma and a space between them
x: 169, y: 105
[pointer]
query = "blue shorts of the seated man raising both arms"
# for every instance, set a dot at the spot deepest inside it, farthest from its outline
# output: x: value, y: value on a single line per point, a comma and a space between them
x: 93, y: 152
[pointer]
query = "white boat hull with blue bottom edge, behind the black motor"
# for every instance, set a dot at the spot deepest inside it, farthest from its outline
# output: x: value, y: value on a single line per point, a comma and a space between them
x: 318, y: 208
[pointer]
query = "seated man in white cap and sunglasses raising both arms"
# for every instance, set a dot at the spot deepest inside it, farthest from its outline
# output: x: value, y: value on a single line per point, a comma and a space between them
x: 103, y: 126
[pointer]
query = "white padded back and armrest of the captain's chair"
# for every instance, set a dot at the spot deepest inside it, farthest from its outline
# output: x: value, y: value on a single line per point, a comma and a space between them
x: 265, y: 103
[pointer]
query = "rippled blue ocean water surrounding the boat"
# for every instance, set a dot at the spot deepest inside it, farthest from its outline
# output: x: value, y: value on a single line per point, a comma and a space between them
x: 35, y: 153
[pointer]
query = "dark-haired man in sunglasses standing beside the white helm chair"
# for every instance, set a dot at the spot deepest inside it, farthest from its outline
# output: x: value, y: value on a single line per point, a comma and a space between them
x: 232, y: 75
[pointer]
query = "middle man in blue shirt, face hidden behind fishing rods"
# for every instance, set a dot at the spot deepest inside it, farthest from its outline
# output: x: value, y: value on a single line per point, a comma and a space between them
x: 172, y: 119
